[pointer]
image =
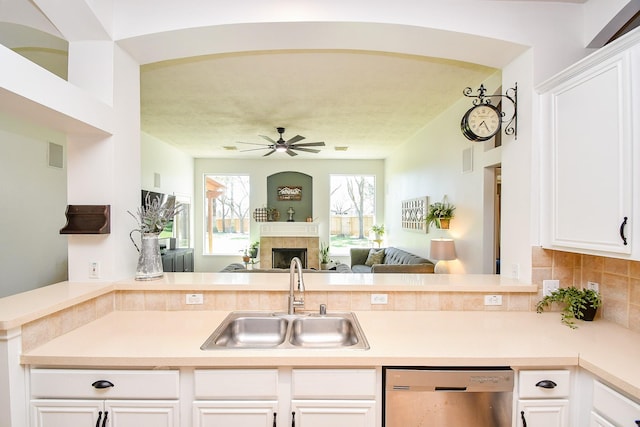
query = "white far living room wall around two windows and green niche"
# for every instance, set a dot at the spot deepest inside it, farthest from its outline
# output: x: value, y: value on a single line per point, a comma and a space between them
x: 259, y: 170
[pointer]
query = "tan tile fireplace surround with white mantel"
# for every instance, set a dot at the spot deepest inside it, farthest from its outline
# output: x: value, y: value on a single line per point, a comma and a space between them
x: 289, y: 235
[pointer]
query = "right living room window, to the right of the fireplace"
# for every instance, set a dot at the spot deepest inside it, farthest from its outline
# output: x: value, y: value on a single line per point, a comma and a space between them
x: 352, y: 203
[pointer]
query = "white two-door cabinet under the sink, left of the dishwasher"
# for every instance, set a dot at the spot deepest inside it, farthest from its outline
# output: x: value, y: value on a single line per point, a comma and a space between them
x: 268, y: 397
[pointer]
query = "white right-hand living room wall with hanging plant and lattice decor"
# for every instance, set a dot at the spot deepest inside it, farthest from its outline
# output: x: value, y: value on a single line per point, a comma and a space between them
x: 430, y: 164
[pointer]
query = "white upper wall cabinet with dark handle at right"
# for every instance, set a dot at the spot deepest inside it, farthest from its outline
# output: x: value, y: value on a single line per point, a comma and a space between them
x: 589, y: 133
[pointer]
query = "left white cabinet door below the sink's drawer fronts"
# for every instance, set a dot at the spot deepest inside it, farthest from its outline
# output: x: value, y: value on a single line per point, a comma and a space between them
x: 250, y: 413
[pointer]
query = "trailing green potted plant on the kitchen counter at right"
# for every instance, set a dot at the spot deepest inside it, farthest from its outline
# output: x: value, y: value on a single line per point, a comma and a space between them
x: 577, y: 304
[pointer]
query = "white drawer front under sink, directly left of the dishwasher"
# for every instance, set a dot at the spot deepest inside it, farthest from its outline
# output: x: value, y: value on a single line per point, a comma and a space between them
x: 333, y: 383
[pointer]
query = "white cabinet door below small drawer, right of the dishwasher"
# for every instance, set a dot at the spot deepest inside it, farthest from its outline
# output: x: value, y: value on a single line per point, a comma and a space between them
x: 543, y: 413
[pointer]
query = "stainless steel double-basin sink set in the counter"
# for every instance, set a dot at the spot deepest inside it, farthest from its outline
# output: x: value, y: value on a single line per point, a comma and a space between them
x: 268, y: 330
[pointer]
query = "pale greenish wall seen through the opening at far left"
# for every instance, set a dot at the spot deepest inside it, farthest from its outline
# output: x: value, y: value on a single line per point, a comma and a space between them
x: 34, y: 199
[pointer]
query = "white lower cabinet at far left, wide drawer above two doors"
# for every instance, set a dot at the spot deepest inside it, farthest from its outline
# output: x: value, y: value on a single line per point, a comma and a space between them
x: 69, y: 397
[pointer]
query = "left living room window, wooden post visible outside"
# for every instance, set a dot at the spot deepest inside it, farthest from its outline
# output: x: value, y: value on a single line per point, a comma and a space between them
x: 226, y: 214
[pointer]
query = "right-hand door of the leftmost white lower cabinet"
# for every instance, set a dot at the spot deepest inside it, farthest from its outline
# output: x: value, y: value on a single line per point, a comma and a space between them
x: 143, y: 413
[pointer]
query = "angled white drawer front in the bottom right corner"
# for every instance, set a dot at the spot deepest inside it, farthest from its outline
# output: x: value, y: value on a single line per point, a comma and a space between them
x: 615, y: 407
